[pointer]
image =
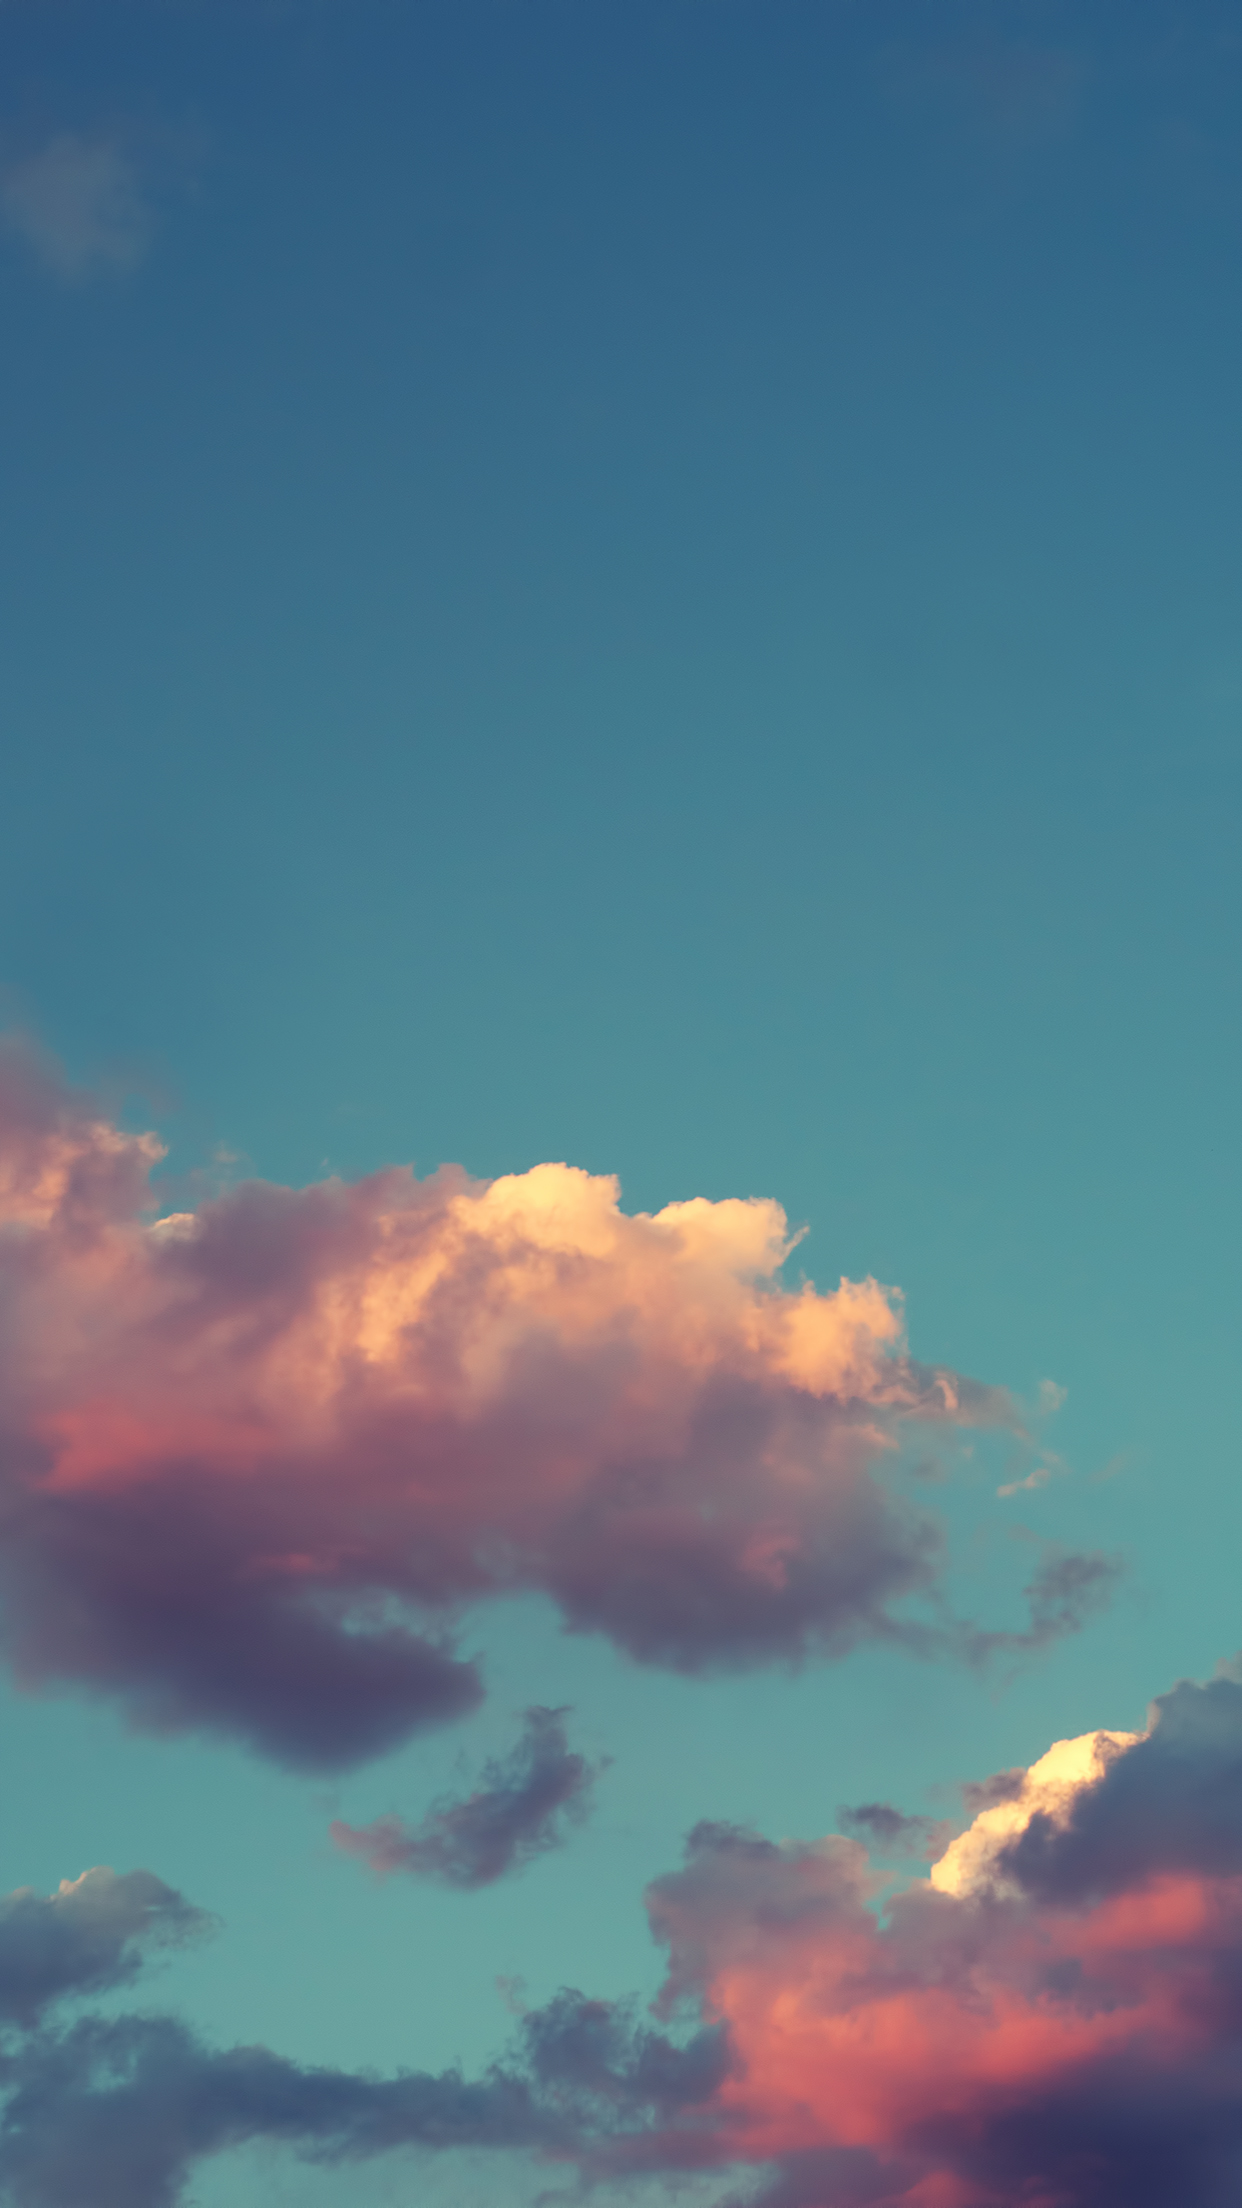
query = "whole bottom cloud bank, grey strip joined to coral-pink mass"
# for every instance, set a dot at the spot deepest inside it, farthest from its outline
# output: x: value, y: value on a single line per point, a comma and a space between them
x: 1051, y: 2017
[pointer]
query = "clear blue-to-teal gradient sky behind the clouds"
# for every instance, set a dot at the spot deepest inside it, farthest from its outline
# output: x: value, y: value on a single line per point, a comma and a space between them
x: 649, y: 584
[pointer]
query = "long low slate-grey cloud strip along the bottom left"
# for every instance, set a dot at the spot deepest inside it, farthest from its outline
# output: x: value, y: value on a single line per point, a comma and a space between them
x: 116, y: 2114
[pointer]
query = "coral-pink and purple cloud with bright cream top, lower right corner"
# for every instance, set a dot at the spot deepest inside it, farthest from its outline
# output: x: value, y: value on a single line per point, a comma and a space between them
x: 1055, y: 2015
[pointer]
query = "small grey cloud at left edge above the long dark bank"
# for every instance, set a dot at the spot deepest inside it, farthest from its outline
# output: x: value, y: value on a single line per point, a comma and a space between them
x: 92, y: 1935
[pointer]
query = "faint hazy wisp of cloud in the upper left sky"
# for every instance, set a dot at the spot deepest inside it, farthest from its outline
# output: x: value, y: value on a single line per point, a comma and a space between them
x: 78, y: 204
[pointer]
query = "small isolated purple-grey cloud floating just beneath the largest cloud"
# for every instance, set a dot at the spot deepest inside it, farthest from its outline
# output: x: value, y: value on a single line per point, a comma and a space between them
x: 518, y: 1814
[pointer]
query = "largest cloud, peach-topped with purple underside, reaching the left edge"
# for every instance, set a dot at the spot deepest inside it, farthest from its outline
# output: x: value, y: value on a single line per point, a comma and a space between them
x: 255, y: 1458
